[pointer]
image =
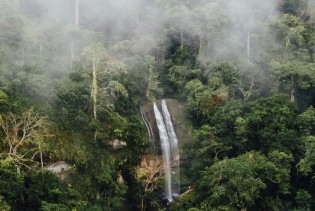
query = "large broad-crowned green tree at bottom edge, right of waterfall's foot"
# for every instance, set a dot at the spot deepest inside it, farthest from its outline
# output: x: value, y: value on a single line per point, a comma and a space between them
x: 235, y: 182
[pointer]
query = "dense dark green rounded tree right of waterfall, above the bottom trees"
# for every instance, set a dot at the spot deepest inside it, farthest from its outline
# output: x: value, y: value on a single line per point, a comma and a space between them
x: 270, y: 120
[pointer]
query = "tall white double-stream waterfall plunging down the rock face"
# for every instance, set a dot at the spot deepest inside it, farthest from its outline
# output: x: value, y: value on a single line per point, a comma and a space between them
x: 170, y: 152
